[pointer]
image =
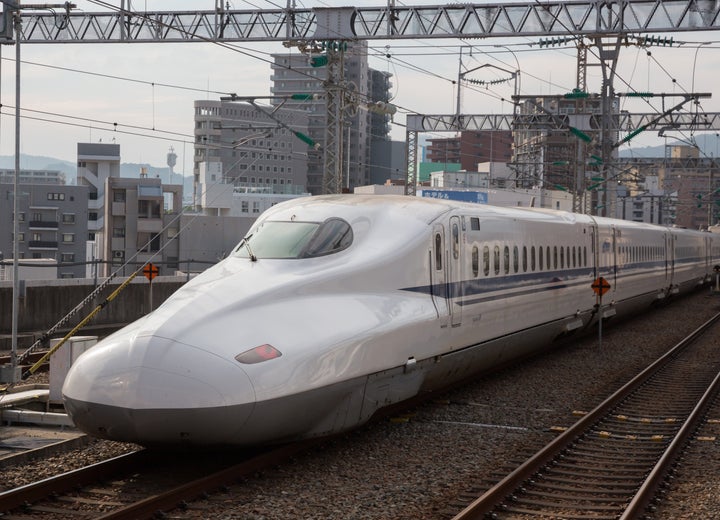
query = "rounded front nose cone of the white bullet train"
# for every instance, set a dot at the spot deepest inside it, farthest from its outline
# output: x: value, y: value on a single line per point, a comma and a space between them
x: 155, y: 391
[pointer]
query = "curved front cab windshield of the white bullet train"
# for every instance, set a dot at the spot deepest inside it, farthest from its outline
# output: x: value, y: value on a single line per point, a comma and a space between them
x: 275, y: 239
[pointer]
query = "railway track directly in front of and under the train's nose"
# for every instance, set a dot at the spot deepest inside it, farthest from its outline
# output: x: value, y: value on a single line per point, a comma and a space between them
x: 137, y: 485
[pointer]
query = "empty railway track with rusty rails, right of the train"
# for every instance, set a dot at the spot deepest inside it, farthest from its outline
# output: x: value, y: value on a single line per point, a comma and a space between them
x: 612, y: 463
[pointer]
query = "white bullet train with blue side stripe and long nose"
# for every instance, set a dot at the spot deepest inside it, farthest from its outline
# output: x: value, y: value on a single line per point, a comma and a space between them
x: 334, y: 307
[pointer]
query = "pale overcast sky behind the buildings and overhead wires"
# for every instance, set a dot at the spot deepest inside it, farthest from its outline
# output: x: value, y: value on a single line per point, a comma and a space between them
x: 70, y: 92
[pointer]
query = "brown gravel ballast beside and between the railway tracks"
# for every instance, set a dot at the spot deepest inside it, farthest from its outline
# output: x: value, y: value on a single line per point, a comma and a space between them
x: 415, y: 465
